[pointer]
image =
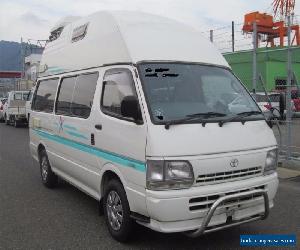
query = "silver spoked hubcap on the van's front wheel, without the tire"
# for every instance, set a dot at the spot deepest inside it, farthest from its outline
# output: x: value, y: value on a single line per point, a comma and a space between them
x: 114, y: 210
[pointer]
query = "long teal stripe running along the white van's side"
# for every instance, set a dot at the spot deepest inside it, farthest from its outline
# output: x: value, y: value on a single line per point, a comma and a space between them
x: 122, y: 160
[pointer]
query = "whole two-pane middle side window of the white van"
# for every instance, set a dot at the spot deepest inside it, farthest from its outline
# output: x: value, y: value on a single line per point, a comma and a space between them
x: 76, y: 95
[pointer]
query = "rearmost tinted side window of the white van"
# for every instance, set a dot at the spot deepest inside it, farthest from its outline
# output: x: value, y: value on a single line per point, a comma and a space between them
x: 45, y: 95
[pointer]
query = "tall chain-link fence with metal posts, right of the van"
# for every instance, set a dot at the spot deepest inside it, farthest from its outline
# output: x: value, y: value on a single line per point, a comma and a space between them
x: 275, y: 69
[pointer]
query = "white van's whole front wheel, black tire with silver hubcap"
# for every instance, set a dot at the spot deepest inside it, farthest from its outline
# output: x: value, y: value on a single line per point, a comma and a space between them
x: 117, y: 211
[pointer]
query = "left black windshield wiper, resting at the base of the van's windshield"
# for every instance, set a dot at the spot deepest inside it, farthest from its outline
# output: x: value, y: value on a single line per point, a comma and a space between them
x: 200, y: 117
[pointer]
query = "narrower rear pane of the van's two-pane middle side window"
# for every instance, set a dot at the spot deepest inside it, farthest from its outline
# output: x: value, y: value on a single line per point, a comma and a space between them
x: 64, y: 100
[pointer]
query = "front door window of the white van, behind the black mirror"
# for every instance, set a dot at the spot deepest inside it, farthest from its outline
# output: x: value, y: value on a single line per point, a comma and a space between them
x: 117, y: 84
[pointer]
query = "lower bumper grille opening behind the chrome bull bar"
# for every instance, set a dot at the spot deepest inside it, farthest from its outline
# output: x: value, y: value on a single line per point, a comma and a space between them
x: 205, y: 202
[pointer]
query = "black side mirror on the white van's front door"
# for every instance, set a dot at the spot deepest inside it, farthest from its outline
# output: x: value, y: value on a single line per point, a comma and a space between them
x: 130, y: 108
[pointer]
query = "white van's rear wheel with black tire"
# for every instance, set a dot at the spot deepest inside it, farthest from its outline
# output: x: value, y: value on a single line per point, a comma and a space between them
x: 49, y: 179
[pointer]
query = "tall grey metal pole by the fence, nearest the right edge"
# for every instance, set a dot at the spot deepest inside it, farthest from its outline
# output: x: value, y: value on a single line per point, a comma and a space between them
x: 288, y: 92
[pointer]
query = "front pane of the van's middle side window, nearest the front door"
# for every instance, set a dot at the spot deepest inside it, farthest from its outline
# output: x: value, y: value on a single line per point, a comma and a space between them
x: 83, y: 95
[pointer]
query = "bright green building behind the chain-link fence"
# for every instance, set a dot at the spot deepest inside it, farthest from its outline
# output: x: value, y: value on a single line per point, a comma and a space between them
x: 271, y: 65
